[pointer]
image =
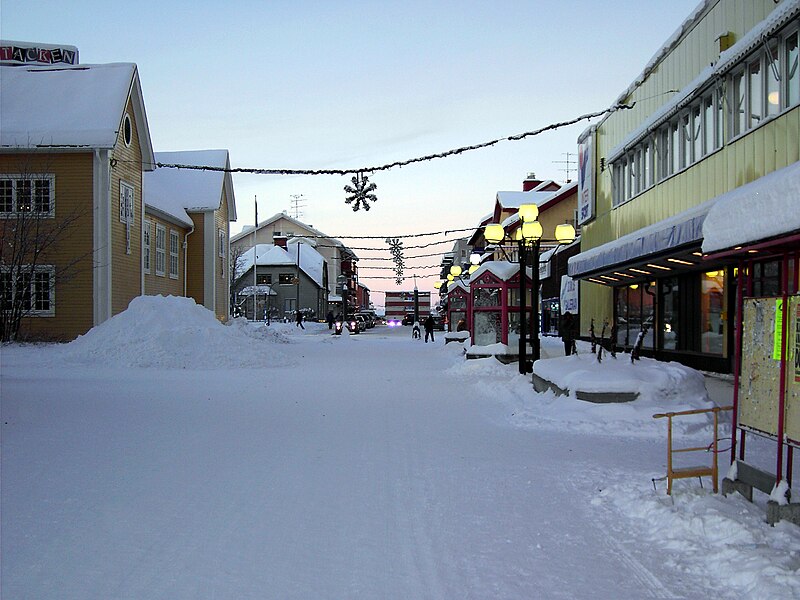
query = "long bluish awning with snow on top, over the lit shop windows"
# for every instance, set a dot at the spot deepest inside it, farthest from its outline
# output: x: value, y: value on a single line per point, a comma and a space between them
x: 673, y: 233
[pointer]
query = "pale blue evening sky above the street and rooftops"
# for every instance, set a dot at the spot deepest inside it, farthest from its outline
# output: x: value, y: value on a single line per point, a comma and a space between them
x: 355, y: 84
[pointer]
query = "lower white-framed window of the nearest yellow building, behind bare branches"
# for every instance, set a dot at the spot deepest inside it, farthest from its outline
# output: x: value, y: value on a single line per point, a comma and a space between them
x: 34, y: 287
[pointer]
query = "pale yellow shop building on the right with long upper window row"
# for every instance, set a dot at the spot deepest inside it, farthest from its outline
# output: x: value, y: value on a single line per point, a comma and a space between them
x: 717, y: 107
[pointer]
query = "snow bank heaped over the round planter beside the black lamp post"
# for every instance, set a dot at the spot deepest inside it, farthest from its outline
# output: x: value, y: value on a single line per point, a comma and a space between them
x: 662, y: 387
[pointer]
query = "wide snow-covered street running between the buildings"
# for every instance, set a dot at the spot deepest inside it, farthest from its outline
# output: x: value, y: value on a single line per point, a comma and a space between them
x: 368, y: 466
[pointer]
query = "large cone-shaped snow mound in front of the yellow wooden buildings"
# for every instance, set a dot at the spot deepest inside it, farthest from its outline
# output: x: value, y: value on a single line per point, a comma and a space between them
x: 171, y: 332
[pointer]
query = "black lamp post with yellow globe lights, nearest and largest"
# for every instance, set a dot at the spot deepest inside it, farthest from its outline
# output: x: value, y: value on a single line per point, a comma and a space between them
x: 528, y: 237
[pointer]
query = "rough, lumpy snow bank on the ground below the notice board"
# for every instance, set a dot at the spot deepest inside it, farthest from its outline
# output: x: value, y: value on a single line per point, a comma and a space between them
x: 709, y: 536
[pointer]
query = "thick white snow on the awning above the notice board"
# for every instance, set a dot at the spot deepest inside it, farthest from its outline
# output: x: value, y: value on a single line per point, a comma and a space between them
x: 762, y: 209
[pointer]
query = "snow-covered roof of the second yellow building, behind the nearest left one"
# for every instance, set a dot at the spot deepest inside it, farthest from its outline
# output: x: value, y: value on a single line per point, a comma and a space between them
x: 176, y: 191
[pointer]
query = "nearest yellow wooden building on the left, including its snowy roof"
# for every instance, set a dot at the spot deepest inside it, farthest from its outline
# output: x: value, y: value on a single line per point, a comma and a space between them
x: 72, y: 167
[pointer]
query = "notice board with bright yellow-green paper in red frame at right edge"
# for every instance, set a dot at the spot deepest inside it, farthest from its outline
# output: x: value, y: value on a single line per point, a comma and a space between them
x: 761, y: 366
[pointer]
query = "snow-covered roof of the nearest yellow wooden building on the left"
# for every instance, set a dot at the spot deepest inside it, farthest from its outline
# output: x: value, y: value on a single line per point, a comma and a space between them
x: 80, y: 106
